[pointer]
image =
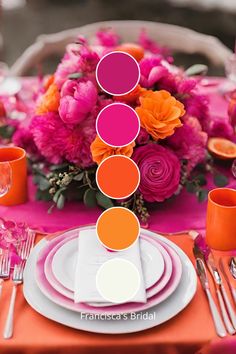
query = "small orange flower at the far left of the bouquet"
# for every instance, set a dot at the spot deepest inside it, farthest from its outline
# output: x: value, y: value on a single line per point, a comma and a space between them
x: 50, y: 100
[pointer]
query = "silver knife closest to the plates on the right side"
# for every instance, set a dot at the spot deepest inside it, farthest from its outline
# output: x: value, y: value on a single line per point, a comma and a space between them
x: 219, y: 326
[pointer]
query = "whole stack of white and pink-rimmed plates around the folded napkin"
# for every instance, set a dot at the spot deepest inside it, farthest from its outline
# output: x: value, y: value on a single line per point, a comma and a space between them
x: 169, y: 275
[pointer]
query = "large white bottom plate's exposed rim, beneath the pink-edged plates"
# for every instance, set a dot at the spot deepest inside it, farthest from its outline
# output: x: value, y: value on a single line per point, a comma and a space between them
x: 153, y: 317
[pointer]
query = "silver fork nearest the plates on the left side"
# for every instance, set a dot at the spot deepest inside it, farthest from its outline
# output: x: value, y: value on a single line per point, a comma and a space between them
x: 17, y: 279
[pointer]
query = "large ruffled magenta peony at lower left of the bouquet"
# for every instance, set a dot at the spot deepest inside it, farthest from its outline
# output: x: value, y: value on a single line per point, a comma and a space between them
x: 58, y: 142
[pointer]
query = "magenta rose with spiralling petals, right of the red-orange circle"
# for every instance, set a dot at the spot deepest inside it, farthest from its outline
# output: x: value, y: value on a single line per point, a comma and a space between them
x: 159, y: 172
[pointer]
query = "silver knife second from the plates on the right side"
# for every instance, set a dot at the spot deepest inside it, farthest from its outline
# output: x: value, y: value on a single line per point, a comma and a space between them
x: 222, y: 296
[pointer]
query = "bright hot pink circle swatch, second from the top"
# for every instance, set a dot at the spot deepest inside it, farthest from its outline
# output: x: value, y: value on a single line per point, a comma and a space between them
x: 118, y: 124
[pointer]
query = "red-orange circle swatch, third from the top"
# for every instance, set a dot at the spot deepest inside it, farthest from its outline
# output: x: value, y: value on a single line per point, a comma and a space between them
x: 118, y: 176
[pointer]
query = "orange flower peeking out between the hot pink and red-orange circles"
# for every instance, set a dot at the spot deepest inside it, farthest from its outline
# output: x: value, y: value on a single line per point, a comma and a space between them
x: 100, y: 150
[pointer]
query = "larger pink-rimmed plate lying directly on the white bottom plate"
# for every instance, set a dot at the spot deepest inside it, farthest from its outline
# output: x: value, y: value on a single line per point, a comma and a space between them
x: 67, y: 303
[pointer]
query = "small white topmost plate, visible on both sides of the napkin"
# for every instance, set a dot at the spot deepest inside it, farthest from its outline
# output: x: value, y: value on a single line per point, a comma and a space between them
x: 64, y: 263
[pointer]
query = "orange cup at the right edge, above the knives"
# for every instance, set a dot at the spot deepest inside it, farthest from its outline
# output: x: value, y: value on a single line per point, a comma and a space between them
x: 221, y: 219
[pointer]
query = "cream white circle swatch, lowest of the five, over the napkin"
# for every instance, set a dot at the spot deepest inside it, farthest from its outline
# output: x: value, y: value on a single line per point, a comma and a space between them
x: 118, y: 280
